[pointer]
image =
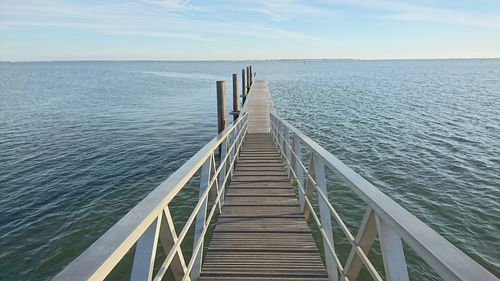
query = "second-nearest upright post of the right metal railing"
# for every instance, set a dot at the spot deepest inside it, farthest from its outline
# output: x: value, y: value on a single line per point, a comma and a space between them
x: 326, y: 221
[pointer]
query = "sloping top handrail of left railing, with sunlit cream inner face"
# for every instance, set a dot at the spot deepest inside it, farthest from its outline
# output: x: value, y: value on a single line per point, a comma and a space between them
x: 100, y: 258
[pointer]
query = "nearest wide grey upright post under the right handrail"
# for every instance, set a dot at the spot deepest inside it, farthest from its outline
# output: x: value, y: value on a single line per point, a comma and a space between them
x: 392, y: 252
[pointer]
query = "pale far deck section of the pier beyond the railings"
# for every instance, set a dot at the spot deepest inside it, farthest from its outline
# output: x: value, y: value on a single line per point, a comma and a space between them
x: 258, y: 106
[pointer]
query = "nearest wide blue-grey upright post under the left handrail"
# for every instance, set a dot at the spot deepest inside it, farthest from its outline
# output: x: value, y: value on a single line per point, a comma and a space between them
x: 145, y: 253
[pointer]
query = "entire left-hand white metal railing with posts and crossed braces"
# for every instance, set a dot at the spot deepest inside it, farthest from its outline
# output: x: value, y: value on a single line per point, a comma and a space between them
x: 150, y: 221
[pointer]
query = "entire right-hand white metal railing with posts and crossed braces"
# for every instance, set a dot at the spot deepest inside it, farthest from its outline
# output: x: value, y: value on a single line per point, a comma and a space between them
x: 383, y: 217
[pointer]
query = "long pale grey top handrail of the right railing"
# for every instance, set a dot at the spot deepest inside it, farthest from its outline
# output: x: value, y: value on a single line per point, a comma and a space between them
x: 446, y: 259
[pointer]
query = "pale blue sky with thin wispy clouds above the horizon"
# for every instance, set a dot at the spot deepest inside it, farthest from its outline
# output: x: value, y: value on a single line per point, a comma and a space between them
x: 33, y: 30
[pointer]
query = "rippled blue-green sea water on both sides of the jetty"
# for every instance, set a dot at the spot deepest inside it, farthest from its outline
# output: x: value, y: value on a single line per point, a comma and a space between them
x: 82, y: 142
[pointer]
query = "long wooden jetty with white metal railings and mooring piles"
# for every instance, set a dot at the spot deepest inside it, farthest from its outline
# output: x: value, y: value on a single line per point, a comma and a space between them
x: 262, y: 184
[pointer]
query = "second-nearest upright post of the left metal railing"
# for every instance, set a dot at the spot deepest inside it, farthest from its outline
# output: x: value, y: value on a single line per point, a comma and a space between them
x: 206, y: 175
